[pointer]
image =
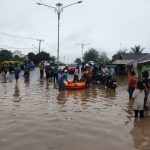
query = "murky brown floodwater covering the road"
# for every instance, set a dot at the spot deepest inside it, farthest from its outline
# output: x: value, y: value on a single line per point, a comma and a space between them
x: 36, y: 116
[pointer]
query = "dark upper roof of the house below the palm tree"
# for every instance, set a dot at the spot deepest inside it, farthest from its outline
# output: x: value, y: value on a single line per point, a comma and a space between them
x: 132, y: 56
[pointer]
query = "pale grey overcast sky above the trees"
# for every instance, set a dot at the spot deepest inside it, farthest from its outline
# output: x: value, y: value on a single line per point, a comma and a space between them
x: 107, y: 25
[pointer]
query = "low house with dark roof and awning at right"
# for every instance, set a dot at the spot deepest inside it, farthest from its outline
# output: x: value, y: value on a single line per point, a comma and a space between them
x: 132, y: 61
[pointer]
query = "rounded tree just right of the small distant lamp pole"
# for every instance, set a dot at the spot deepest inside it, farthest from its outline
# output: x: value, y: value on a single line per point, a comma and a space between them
x: 91, y: 55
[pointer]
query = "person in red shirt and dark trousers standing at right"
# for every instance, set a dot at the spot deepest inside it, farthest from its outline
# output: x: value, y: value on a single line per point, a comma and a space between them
x: 131, y: 84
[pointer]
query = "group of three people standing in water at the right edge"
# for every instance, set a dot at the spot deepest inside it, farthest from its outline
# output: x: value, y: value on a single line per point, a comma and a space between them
x: 140, y: 89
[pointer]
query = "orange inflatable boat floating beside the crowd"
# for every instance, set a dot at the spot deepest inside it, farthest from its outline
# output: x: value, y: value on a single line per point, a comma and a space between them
x: 78, y: 85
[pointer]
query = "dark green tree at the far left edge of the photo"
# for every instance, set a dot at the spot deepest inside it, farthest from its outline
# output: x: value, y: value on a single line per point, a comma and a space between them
x: 5, y: 55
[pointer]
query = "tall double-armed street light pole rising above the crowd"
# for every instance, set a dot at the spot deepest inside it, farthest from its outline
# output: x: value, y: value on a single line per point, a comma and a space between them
x: 58, y: 9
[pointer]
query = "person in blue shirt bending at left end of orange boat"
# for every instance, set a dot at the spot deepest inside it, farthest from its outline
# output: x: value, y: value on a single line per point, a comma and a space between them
x: 61, y: 80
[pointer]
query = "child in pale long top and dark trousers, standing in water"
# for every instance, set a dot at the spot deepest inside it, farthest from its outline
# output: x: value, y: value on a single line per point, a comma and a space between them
x: 139, y: 100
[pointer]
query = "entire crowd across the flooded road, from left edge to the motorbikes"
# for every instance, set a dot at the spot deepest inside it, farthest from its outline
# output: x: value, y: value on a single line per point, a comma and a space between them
x: 83, y: 73
